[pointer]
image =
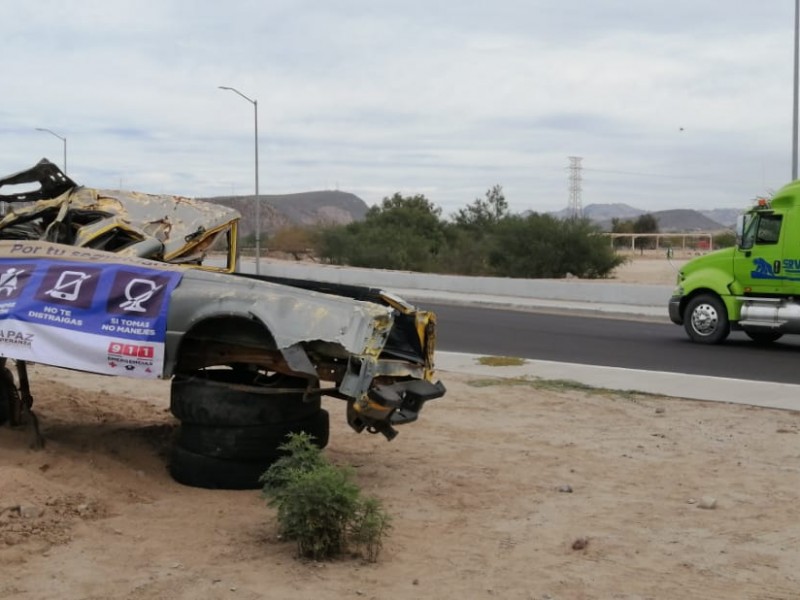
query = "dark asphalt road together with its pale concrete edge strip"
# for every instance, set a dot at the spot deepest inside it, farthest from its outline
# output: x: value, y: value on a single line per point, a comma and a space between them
x: 655, y: 356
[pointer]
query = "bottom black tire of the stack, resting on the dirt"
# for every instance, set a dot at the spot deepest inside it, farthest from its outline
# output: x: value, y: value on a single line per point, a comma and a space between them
x: 213, y: 473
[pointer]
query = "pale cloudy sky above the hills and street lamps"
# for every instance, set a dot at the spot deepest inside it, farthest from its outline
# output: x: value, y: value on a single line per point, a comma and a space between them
x: 680, y: 104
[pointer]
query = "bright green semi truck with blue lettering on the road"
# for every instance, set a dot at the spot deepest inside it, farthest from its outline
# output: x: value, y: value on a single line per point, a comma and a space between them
x: 753, y: 287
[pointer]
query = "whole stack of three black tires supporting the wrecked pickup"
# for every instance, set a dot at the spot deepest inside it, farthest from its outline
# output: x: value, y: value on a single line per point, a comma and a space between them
x: 233, y: 422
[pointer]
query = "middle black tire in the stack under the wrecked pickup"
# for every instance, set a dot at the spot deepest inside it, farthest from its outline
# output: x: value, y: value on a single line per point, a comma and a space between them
x: 250, y: 443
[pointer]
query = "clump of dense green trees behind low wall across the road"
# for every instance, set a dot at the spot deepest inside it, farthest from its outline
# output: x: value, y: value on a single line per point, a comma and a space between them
x: 484, y: 239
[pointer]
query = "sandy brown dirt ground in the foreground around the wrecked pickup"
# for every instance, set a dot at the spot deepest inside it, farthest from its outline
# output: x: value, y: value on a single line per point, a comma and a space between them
x: 503, y: 489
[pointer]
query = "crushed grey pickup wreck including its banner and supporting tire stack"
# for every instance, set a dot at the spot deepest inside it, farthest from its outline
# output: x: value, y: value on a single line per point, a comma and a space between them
x: 118, y: 283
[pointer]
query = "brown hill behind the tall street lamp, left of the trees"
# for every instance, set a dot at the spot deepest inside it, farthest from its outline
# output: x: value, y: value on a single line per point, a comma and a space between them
x: 305, y: 208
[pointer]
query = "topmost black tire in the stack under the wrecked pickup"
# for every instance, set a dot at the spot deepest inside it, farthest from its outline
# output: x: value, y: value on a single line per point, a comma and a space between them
x: 240, y: 398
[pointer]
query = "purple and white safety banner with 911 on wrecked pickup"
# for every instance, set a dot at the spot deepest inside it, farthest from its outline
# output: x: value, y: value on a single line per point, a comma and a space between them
x: 96, y: 317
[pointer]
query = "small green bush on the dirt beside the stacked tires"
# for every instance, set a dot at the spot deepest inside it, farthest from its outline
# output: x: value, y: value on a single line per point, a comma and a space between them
x: 319, y: 507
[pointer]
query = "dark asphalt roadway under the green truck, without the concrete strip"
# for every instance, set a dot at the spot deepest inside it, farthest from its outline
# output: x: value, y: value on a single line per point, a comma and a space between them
x: 629, y: 344
